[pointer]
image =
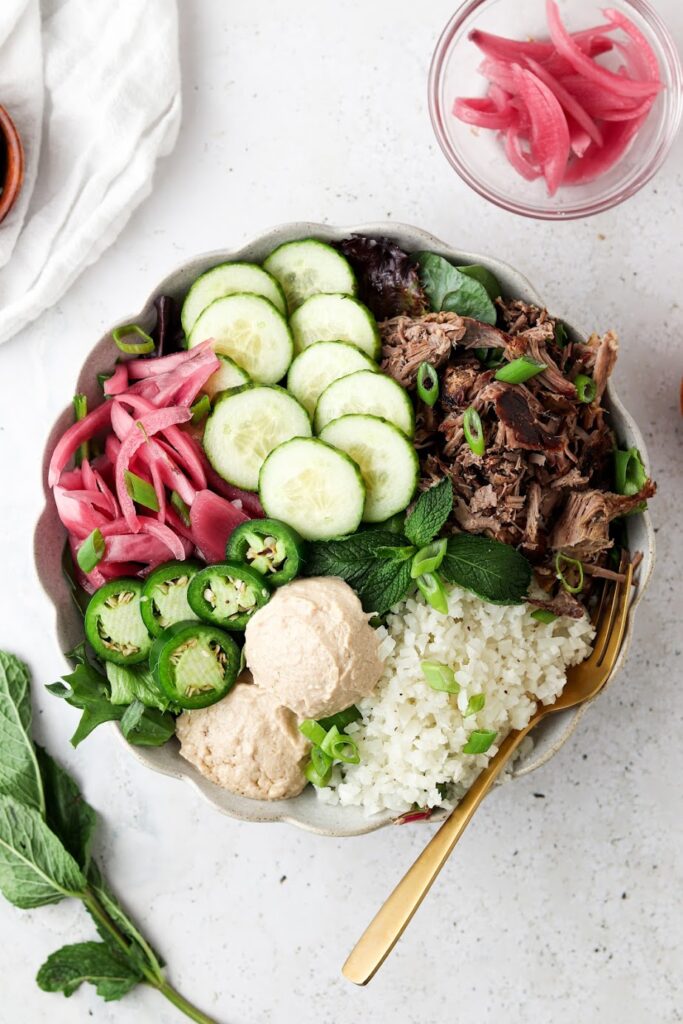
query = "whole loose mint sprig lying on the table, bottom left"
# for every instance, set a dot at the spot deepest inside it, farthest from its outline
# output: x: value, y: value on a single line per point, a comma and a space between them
x: 47, y: 831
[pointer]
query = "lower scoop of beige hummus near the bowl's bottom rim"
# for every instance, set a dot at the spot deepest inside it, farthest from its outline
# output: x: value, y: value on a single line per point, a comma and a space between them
x: 247, y: 743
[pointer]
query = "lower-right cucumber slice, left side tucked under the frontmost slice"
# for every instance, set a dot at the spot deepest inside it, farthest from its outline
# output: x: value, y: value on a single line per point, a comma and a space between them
x: 389, y: 462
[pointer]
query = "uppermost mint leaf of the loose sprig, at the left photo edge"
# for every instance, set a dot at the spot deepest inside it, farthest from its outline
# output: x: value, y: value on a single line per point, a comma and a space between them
x: 20, y: 776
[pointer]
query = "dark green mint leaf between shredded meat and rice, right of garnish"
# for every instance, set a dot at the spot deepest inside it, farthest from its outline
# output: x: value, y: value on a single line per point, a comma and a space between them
x: 497, y: 573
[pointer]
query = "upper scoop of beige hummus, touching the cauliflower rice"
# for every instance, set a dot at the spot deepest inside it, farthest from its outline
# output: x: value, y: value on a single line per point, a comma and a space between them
x: 313, y: 649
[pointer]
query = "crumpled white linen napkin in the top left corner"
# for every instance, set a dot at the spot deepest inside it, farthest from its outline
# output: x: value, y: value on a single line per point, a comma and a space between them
x: 95, y: 91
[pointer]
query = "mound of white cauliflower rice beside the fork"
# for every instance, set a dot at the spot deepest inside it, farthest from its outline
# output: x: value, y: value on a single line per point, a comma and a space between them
x: 411, y: 737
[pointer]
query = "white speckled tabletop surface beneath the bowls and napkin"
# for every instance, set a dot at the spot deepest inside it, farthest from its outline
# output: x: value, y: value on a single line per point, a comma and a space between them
x: 563, y: 902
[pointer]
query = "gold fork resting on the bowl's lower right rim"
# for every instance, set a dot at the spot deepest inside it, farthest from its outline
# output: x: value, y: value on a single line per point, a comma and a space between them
x: 584, y: 682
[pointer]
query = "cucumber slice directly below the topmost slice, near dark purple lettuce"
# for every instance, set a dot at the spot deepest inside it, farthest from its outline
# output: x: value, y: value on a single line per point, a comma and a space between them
x: 335, y: 318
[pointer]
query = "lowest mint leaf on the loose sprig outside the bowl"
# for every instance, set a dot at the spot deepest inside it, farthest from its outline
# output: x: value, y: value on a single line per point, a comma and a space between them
x: 95, y: 963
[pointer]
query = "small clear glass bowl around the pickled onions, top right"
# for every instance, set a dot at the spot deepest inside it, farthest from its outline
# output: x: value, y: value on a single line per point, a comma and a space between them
x: 478, y: 155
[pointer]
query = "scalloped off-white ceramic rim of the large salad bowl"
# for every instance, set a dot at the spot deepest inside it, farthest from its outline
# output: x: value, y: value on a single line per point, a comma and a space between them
x: 306, y: 812
